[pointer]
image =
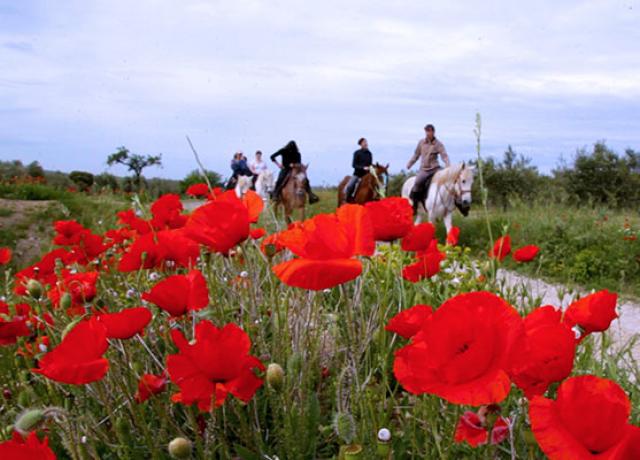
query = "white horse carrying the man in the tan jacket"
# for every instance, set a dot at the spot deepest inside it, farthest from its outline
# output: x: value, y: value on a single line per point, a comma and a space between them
x: 450, y: 188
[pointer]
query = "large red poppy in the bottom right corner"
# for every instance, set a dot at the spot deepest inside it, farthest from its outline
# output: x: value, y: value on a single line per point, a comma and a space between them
x: 588, y: 419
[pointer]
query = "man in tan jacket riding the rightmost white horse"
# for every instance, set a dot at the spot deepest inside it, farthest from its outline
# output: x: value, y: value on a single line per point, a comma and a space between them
x: 427, y: 150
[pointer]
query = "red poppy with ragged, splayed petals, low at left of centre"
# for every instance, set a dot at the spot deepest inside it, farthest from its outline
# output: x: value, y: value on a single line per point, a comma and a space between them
x: 216, y: 364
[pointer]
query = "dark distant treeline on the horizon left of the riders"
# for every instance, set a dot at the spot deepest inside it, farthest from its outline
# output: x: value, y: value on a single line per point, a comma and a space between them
x: 18, y: 173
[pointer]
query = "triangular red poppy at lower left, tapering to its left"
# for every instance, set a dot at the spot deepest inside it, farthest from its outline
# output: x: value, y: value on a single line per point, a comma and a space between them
x: 78, y: 358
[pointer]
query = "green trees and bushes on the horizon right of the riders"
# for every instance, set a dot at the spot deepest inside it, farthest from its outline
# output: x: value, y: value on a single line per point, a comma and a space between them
x: 598, y: 176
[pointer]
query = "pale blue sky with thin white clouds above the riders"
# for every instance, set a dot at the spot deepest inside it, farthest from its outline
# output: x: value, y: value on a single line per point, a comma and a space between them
x: 80, y: 78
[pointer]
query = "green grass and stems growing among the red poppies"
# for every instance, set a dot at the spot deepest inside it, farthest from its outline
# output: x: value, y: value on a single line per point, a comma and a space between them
x: 337, y: 357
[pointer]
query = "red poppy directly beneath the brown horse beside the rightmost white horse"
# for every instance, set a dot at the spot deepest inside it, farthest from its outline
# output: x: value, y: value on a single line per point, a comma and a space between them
x: 392, y: 218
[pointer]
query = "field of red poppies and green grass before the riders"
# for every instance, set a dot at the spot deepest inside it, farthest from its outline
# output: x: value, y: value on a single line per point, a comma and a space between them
x: 315, y: 373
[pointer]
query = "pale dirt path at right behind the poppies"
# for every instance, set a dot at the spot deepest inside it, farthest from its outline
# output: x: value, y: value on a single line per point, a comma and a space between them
x: 623, y: 328
